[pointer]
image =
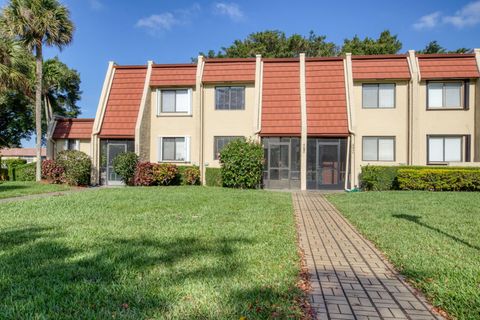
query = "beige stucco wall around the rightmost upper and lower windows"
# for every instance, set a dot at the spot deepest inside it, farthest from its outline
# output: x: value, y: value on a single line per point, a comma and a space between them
x: 441, y: 122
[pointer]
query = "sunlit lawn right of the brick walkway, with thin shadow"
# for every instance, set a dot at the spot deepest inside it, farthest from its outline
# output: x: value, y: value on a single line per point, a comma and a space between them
x: 432, y: 238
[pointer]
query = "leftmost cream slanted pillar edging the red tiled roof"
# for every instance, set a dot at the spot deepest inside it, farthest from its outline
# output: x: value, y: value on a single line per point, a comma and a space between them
x: 97, y: 124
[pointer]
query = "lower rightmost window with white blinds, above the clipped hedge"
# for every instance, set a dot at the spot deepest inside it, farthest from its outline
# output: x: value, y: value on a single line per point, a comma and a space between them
x: 445, y: 149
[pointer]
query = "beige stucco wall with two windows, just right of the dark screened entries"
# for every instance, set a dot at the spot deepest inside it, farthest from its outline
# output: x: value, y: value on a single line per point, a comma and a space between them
x: 391, y: 122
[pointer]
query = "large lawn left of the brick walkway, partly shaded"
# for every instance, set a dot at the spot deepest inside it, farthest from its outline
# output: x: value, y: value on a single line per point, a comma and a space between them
x: 150, y: 253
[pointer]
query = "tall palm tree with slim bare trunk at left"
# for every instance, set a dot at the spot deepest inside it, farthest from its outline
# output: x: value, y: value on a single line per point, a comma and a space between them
x: 37, y: 23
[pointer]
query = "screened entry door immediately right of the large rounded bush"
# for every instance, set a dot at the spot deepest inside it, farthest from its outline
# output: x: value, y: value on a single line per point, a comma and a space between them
x: 279, y: 165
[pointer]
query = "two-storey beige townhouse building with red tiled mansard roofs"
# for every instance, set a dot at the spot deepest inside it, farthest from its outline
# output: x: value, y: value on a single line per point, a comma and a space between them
x: 319, y: 119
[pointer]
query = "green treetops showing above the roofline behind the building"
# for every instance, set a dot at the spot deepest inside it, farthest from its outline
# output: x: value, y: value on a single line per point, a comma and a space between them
x: 276, y: 44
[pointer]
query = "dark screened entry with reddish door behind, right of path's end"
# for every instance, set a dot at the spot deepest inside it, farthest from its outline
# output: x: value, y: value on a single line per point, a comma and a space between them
x: 326, y: 163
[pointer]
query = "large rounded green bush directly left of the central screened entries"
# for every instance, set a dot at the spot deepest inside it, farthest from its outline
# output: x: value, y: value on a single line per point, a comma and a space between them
x: 242, y: 164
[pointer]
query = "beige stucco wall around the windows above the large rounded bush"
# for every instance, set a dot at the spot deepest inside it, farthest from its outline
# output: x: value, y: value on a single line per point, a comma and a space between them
x: 226, y: 122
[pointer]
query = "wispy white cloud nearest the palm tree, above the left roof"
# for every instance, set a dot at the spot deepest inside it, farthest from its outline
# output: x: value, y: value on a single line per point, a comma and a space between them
x: 158, y: 23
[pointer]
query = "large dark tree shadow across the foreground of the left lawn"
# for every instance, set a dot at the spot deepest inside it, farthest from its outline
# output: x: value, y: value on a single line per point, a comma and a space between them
x: 45, y: 274
